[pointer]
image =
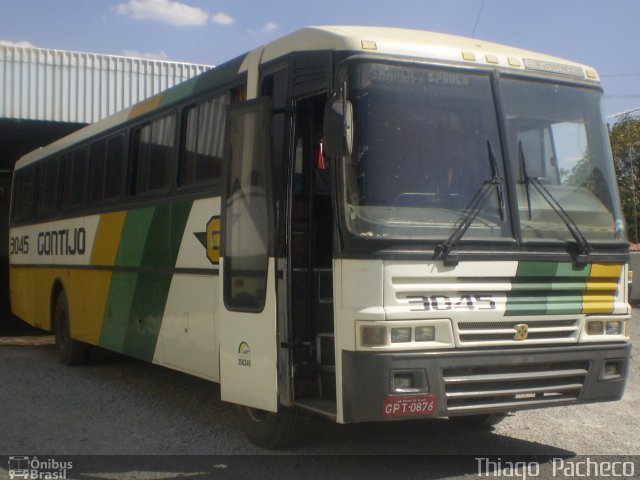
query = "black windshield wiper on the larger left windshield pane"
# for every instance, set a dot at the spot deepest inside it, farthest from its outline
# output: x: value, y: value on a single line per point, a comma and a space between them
x: 471, y: 211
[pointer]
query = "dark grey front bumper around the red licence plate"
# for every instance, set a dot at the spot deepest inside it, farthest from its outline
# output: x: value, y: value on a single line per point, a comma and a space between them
x: 485, y: 381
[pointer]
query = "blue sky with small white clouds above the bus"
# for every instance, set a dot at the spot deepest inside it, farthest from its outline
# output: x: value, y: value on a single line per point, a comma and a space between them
x: 602, y: 33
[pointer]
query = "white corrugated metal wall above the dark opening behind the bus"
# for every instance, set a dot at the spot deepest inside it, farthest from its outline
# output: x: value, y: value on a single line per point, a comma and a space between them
x: 61, y: 86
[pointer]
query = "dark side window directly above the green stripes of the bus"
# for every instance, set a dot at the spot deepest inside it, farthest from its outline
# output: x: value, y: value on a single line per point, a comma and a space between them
x: 154, y: 146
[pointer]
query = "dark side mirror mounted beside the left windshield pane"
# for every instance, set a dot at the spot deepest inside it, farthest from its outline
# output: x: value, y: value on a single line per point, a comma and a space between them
x: 338, y: 128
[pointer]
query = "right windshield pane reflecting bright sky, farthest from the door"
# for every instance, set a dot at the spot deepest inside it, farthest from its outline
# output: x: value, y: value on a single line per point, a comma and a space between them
x: 556, y: 137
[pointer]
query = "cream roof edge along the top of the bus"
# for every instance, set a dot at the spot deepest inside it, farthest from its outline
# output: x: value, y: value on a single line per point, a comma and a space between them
x: 371, y: 40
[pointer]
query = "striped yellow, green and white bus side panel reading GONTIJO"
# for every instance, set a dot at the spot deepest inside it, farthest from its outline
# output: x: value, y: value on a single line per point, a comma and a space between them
x: 124, y: 292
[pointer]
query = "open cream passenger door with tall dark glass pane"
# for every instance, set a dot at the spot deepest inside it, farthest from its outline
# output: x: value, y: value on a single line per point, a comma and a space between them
x: 247, y: 321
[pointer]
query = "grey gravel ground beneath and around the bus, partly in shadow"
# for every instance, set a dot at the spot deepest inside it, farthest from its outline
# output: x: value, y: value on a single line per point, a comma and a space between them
x: 118, y: 406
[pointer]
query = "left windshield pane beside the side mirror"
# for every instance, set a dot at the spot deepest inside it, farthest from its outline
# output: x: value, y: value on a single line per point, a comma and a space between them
x: 423, y: 137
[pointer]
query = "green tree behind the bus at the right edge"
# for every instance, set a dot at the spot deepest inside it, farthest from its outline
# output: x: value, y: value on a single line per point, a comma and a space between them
x: 625, y: 145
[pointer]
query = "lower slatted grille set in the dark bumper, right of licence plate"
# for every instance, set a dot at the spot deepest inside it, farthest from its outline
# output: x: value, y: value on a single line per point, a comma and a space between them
x: 513, y: 387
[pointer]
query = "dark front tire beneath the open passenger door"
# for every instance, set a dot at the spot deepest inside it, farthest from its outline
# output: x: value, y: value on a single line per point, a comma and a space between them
x: 269, y: 430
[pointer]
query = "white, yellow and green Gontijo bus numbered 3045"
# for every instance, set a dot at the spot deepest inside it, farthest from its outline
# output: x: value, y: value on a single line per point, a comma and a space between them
x: 366, y: 224
